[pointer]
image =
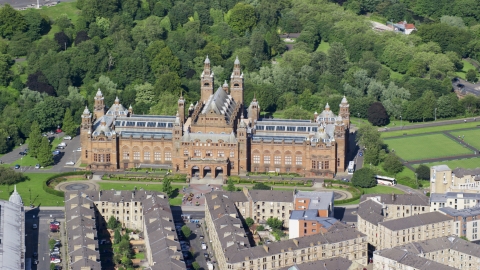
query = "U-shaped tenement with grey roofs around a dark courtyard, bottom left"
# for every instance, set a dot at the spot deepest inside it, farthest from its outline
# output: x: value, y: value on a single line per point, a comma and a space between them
x: 87, y: 212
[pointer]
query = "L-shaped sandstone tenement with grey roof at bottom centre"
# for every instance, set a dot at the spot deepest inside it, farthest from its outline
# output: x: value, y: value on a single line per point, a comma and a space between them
x: 234, y: 248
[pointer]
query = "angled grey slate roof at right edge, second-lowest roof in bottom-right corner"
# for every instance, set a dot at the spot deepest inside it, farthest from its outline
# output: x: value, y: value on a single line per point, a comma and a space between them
x: 442, y: 243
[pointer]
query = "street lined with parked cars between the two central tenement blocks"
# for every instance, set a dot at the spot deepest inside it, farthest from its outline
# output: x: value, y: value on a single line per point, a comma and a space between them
x: 193, y: 245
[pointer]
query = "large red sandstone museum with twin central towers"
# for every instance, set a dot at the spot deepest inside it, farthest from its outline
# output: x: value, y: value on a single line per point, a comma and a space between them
x: 218, y: 136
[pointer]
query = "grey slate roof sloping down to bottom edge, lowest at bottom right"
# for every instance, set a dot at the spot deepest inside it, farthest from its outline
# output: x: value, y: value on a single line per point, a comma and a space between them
x: 410, y: 259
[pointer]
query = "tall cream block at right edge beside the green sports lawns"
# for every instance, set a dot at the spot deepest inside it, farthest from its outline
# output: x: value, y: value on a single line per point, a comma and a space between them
x: 443, y: 179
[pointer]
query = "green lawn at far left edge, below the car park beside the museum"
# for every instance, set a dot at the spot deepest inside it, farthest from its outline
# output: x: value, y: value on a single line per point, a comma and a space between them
x: 39, y: 196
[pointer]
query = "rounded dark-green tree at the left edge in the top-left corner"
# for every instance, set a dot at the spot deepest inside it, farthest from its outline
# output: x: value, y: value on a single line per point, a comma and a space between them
x: 11, y: 21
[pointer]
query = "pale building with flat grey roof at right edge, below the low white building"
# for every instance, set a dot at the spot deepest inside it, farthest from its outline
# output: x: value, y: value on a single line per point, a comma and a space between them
x: 465, y: 222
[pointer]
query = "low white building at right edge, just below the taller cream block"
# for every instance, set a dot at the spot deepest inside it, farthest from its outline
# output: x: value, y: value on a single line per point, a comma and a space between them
x: 455, y: 200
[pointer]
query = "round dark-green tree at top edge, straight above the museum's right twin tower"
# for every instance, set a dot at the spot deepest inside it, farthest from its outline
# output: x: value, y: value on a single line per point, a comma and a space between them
x: 241, y: 17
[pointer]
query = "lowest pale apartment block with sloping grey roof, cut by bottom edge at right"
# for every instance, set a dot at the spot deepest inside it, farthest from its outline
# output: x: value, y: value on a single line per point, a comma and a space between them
x: 397, y: 258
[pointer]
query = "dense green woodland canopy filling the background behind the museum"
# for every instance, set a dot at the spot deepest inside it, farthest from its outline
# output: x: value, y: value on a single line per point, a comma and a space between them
x: 147, y: 53
